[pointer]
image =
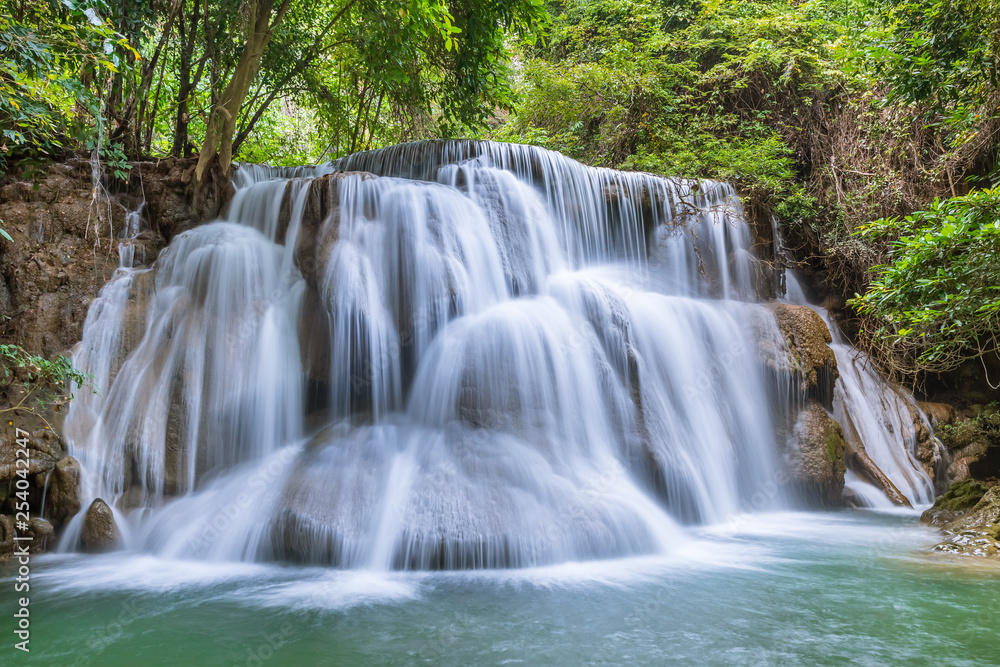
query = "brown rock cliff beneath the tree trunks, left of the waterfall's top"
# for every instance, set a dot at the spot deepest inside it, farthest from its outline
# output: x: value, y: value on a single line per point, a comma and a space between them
x: 65, y: 240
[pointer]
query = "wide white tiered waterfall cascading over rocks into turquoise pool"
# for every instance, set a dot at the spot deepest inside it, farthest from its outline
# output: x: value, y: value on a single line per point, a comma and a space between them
x: 438, y: 355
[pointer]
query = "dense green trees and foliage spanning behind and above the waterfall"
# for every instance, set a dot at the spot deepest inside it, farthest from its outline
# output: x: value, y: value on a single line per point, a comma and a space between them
x: 828, y: 115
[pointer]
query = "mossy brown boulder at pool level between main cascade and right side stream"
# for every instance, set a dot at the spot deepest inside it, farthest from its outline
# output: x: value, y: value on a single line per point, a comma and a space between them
x: 814, y: 456
